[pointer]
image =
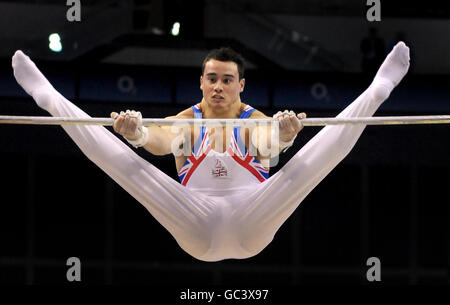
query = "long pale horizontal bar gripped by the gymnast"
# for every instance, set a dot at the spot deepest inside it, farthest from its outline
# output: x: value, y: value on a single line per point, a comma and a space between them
x: 387, y: 120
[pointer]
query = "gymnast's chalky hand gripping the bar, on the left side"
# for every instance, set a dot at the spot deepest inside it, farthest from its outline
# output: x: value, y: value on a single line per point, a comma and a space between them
x: 128, y: 124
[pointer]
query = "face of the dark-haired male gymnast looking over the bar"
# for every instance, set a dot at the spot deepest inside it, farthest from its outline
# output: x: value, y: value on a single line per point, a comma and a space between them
x: 220, y: 84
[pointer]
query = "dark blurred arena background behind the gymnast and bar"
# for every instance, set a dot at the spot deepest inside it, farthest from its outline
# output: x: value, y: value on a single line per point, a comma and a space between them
x: 388, y: 199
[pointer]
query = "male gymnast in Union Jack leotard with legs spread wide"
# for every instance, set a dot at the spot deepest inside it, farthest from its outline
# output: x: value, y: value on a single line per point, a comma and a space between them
x: 226, y: 206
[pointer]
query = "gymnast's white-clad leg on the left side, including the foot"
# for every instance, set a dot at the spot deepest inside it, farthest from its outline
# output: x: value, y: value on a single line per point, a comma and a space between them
x: 183, y: 213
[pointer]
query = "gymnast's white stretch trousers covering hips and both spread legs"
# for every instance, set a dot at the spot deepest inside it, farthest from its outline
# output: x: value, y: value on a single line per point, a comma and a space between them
x: 210, y: 227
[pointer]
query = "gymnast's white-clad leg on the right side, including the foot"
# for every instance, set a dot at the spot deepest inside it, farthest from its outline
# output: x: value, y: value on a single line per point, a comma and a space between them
x: 268, y: 207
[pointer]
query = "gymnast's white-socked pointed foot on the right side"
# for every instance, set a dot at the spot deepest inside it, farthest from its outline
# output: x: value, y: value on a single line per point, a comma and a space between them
x: 392, y: 71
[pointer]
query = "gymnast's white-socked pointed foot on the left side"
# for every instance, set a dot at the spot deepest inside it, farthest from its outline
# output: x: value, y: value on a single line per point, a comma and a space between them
x: 33, y: 81
